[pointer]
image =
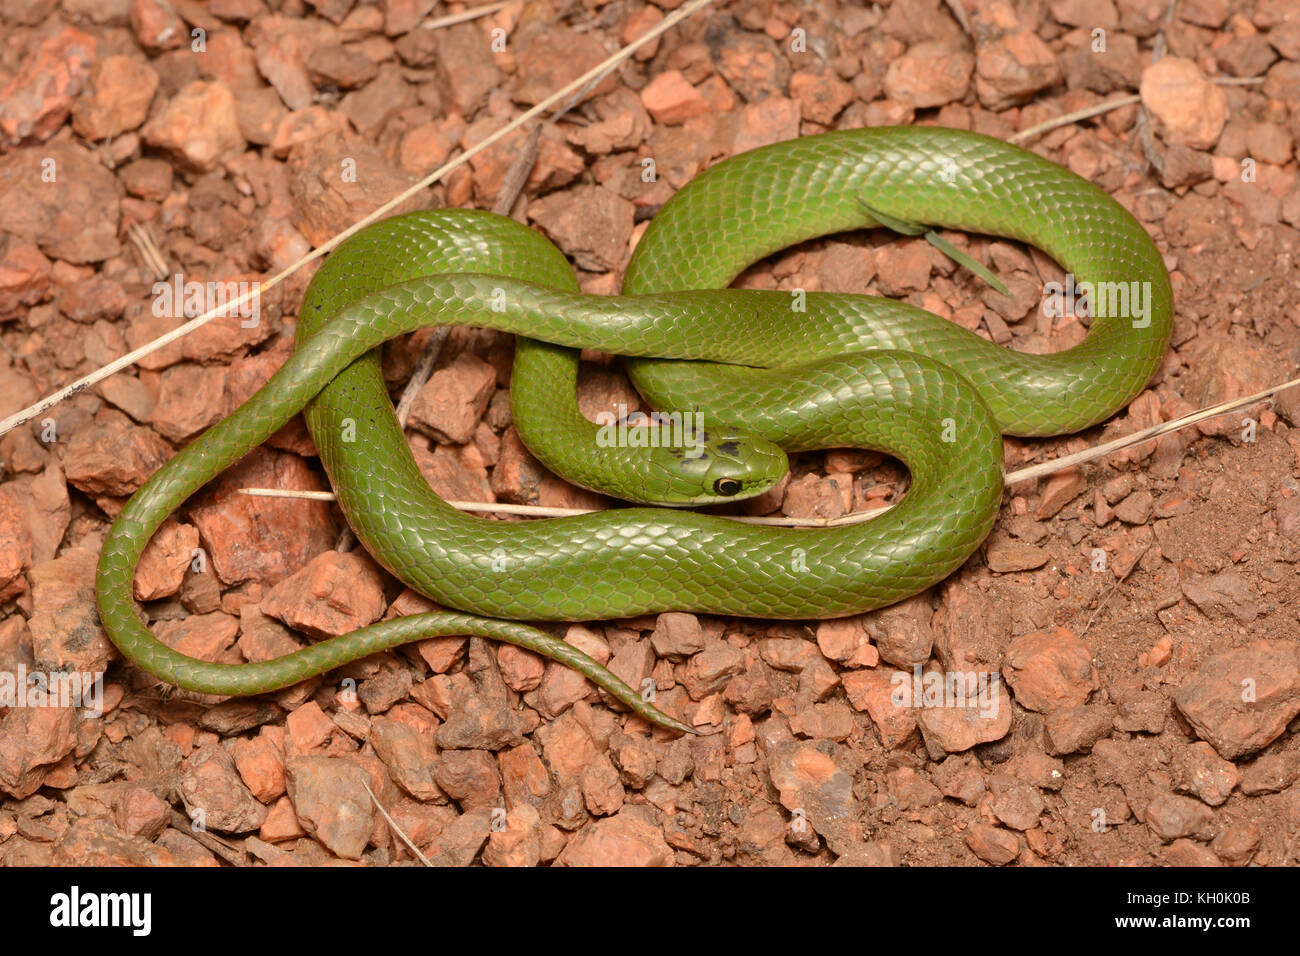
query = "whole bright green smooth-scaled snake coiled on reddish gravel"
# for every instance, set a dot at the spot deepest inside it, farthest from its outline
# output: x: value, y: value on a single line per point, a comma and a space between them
x: 801, y: 371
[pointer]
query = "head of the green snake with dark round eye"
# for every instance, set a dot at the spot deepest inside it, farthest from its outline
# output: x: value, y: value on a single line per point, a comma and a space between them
x: 718, y: 465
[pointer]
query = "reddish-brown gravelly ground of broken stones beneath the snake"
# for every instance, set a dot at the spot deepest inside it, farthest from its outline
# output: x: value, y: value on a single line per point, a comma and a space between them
x: 1132, y: 625
